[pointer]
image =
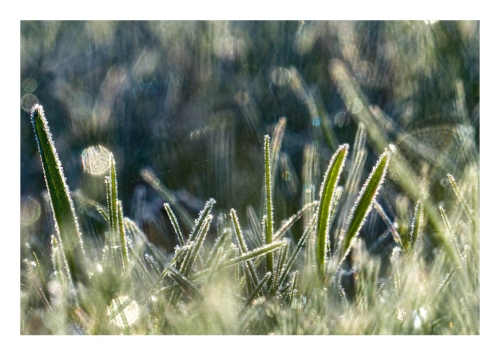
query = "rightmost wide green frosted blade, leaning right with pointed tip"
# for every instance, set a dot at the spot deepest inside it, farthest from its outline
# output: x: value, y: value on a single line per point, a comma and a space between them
x: 364, y: 202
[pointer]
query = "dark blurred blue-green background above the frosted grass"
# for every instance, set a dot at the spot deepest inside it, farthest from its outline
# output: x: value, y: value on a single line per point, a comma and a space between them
x: 191, y: 102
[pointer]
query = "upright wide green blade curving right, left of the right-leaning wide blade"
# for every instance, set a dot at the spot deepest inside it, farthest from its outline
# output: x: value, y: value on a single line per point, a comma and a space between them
x: 326, y: 200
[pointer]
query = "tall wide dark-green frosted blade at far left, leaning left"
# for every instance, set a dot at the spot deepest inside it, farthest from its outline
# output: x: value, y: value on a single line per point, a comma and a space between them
x: 61, y: 203
